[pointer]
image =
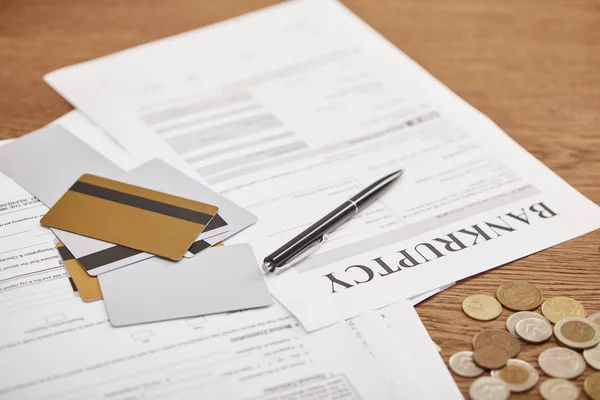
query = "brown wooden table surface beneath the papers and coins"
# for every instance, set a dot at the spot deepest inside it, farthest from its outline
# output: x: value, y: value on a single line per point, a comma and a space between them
x: 532, y: 66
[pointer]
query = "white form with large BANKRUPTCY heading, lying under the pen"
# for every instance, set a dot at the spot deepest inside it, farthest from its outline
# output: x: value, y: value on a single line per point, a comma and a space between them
x: 292, y: 109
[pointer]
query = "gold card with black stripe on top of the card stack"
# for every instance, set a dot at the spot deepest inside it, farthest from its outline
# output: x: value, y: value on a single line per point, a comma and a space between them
x: 131, y: 216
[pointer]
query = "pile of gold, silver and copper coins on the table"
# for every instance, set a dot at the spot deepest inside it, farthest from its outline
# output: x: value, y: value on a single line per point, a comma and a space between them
x: 495, y: 350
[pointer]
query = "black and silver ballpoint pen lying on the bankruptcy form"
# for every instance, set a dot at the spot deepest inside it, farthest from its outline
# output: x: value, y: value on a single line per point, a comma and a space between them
x: 316, y: 234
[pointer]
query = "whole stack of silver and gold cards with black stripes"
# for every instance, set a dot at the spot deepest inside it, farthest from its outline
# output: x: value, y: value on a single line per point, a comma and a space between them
x: 155, y: 221
